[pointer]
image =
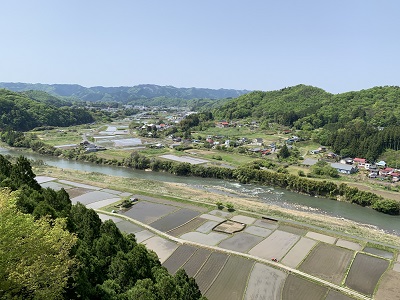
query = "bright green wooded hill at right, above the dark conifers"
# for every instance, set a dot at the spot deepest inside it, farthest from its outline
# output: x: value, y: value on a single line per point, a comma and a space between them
x: 307, y: 107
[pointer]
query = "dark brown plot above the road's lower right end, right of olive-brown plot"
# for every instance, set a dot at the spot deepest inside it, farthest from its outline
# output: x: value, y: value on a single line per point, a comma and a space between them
x: 365, y: 272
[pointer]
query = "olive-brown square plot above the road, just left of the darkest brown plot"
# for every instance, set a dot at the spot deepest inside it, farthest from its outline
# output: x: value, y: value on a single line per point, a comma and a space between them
x: 327, y: 262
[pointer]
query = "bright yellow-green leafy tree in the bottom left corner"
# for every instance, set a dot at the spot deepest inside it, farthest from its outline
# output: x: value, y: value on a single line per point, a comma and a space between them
x: 34, y: 255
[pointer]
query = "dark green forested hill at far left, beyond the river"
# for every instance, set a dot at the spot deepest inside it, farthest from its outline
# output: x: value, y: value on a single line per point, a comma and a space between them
x: 24, y: 111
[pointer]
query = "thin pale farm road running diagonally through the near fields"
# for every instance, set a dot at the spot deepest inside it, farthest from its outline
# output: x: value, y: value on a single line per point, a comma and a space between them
x: 290, y: 270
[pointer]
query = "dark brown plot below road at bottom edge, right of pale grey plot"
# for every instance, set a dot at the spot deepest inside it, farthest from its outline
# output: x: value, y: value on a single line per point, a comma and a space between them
x: 297, y: 288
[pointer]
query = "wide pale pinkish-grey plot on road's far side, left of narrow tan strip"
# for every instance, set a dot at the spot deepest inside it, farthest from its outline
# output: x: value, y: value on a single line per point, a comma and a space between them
x: 275, y: 246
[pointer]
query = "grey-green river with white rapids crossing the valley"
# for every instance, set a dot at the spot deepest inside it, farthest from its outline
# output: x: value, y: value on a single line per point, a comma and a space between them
x: 269, y: 195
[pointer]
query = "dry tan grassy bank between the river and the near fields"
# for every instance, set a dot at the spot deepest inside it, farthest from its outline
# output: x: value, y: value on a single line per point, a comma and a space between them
x: 183, y: 192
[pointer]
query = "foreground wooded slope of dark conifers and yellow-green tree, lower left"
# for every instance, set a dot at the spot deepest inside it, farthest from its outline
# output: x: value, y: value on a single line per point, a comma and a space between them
x: 79, y: 256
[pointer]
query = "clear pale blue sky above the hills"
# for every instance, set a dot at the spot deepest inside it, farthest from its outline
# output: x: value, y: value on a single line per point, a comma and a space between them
x: 338, y: 45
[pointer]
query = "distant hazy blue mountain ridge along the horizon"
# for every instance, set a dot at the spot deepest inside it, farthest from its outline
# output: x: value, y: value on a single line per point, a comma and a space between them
x: 124, y: 94
